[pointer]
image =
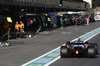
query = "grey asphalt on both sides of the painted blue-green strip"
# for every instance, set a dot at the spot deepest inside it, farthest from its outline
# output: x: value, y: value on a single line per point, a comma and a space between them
x: 26, y: 49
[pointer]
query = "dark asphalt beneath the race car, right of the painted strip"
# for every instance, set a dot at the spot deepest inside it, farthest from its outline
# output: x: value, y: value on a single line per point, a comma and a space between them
x: 81, y: 61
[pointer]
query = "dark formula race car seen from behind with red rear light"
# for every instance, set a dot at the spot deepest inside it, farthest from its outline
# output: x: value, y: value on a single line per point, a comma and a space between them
x: 79, y: 49
